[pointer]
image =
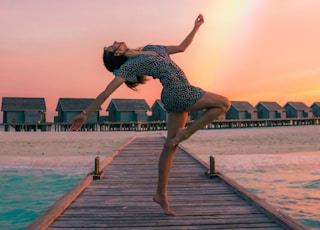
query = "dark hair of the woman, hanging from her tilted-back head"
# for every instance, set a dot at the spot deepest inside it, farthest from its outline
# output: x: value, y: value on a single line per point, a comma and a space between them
x: 112, y: 62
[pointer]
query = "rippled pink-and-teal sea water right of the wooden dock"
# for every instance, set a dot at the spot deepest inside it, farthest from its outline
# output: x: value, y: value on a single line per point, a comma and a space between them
x: 296, y: 194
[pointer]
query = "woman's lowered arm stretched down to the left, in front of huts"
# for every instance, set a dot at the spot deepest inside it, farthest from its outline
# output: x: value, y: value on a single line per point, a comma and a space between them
x: 79, y: 120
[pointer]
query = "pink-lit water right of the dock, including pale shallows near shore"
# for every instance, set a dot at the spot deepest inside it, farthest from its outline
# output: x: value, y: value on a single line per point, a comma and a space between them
x: 288, y: 181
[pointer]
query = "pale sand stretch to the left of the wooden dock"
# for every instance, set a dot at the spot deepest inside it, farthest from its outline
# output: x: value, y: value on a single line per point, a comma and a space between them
x: 58, y: 149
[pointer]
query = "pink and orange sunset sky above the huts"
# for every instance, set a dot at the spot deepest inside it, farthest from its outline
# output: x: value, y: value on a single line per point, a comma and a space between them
x: 251, y: 50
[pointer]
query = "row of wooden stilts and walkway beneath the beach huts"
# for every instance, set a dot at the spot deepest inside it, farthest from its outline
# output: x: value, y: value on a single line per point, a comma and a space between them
x: 138, y: 126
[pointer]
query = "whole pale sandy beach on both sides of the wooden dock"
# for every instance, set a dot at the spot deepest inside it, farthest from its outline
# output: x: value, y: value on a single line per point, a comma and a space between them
x: 282, y: 146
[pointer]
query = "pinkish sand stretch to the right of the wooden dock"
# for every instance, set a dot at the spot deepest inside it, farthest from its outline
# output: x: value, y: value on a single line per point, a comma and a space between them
x: 272, y: 149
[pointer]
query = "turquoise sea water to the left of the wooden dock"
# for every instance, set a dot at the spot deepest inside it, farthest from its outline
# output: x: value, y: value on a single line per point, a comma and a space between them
x: 27, y: 193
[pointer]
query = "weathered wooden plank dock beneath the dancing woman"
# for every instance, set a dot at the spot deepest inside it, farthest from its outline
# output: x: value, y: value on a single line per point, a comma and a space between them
x: 122, y: 199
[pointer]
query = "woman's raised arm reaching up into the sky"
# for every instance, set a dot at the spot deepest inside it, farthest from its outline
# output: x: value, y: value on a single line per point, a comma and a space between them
x: 187, y: 41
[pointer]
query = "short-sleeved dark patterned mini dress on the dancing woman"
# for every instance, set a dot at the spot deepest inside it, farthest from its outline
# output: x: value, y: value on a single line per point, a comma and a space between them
x: 177, y: 94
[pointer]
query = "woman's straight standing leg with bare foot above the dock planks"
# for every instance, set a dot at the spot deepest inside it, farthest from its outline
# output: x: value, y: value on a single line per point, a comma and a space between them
x: 176, y: 121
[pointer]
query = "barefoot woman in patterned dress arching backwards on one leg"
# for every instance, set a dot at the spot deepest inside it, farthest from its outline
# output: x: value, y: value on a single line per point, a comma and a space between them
x: 131, y: 66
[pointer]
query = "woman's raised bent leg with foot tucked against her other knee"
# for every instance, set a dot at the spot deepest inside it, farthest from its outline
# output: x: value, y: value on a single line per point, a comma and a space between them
x: 214, y: 104
